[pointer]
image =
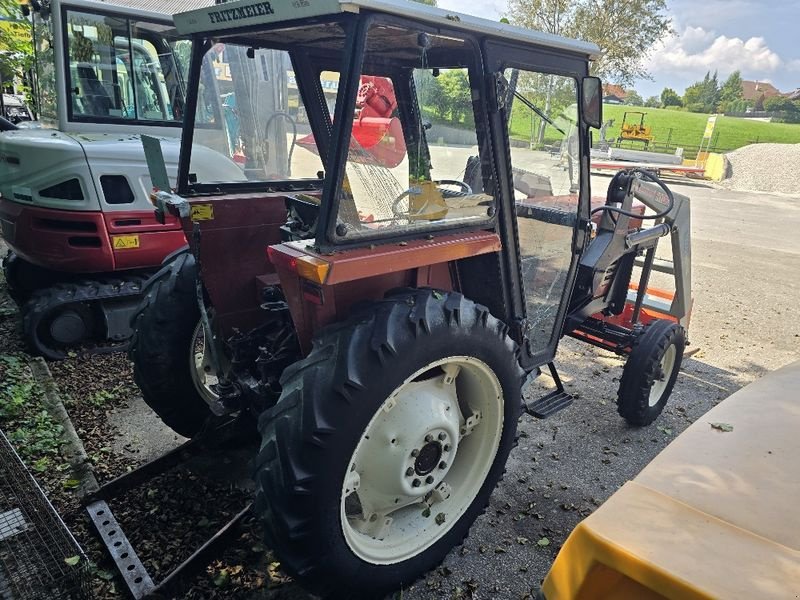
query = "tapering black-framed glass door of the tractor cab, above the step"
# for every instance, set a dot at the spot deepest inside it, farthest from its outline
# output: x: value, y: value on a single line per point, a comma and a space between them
x: 547, y: 173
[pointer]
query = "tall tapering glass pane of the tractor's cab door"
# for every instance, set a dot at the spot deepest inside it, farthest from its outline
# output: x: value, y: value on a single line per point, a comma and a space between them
x: 544, y: 135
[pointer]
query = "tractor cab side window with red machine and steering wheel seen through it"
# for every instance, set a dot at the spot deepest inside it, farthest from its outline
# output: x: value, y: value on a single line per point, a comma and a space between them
x: 415, y: 165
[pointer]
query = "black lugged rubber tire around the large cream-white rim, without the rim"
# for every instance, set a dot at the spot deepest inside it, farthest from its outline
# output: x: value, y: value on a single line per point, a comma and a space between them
x: 328, y: 400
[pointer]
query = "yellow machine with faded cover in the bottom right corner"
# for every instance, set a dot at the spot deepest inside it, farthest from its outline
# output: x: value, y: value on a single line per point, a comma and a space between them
x: 715, y: 515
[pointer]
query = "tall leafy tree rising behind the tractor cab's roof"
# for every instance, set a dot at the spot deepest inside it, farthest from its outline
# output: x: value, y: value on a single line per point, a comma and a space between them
x: 625, y: 30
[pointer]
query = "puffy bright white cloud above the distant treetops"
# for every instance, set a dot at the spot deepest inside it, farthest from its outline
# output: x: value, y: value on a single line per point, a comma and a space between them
x: 695, y: 50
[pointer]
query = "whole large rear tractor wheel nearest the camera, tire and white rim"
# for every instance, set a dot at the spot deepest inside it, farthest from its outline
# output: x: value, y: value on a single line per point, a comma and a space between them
x: 387, y: 442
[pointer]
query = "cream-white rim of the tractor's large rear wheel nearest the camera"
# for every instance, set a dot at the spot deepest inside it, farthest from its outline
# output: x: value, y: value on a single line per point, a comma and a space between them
x: 442, y: 431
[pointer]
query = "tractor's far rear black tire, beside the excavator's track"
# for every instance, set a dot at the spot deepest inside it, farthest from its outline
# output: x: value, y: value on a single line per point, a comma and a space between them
x: 160, y: 347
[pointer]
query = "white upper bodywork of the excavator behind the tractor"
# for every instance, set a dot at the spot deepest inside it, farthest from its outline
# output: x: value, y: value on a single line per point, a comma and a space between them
x: 41, y: 166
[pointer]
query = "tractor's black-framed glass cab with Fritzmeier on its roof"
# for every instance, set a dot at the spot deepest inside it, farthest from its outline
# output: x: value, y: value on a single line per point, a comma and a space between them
x: 383, y: 135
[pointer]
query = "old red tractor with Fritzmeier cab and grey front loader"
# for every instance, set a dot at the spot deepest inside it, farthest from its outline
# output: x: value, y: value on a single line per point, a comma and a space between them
x: 378, y: 313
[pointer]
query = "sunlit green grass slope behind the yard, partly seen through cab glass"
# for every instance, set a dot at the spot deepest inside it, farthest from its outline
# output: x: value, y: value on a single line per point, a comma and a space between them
x: 679, y: 128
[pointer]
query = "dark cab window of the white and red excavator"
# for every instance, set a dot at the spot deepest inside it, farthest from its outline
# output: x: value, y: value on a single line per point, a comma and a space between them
x: 123, y: 70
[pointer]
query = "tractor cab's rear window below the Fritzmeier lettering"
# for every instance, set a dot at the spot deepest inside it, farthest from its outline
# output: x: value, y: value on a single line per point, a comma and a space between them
x: 263, y: 124
